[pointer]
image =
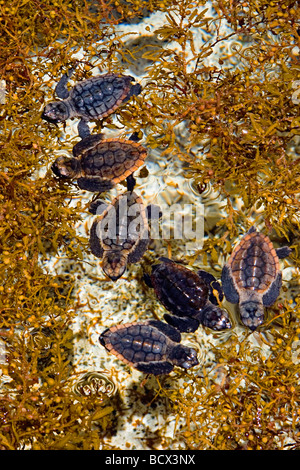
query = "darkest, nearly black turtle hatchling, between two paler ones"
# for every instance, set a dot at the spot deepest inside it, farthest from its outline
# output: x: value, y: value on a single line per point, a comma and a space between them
x: 189, y: 296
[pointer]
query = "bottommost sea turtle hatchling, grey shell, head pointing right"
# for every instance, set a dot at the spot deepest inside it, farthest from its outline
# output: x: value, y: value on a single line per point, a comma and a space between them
x: 152, y: 347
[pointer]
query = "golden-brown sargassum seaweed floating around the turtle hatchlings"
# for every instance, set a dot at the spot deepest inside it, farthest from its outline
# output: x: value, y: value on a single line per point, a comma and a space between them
x: 241, y: 117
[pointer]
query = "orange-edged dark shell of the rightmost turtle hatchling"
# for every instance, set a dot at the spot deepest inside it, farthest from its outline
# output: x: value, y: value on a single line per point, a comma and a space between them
x: 254, y: 263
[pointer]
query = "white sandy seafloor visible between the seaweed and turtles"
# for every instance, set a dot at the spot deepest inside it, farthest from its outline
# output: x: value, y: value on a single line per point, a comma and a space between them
x: 146, y: 421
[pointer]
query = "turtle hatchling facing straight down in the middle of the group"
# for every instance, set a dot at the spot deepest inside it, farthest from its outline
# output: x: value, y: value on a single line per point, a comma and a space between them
x: 120, y: 233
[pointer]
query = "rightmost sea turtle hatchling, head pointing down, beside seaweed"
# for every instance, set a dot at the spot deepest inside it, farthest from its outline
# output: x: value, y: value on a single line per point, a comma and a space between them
x: 251, y: 277
